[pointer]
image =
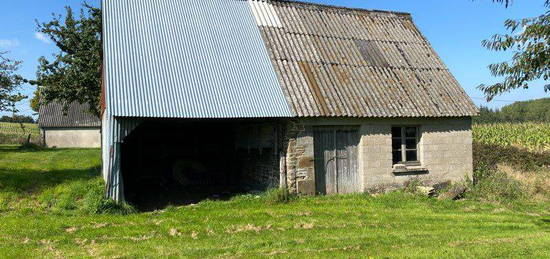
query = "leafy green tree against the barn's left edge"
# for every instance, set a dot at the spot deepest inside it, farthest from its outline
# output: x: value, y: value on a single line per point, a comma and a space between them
x: 74, y: 75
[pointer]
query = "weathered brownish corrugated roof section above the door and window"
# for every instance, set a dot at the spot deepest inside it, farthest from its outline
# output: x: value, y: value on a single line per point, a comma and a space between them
x: 335, y: 61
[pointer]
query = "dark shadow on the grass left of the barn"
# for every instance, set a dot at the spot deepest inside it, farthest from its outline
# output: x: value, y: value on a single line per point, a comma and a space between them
x: 35, y: 181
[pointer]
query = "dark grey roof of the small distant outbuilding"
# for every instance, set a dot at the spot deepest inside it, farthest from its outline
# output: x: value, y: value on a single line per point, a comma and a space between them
x: 52, y: 116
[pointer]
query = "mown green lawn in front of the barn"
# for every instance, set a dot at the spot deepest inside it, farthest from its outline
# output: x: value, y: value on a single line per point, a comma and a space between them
x: 47, y: 198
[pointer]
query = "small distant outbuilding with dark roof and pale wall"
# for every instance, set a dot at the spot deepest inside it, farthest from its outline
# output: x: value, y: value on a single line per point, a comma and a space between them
x: 75, y: 128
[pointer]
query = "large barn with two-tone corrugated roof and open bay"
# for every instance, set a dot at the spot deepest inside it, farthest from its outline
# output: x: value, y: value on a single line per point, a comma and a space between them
x: 205, y: 97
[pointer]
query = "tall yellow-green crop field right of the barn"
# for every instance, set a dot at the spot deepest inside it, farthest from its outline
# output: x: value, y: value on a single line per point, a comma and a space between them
x: 532, y: 136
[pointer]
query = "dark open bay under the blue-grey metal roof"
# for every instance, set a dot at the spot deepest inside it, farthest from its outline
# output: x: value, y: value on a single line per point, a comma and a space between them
x: 179, y: 162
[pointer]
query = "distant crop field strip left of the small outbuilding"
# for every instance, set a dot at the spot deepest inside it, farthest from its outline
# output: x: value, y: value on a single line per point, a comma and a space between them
x: 13, y: 133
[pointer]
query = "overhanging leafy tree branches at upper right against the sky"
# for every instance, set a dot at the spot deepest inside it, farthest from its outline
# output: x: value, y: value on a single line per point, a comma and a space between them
x: 530, y: 40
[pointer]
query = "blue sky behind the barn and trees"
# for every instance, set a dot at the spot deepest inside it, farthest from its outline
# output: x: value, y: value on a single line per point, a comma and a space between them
x: 455, y: 28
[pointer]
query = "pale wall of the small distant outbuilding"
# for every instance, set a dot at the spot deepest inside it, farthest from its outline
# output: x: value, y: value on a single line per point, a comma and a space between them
x: 72, y: 137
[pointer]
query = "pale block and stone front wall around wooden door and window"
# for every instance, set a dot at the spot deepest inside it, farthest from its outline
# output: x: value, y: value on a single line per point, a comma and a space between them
x: 445, y: 150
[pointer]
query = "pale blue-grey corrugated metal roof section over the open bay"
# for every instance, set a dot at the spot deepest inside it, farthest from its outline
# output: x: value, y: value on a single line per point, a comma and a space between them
x: 187, y: 59
